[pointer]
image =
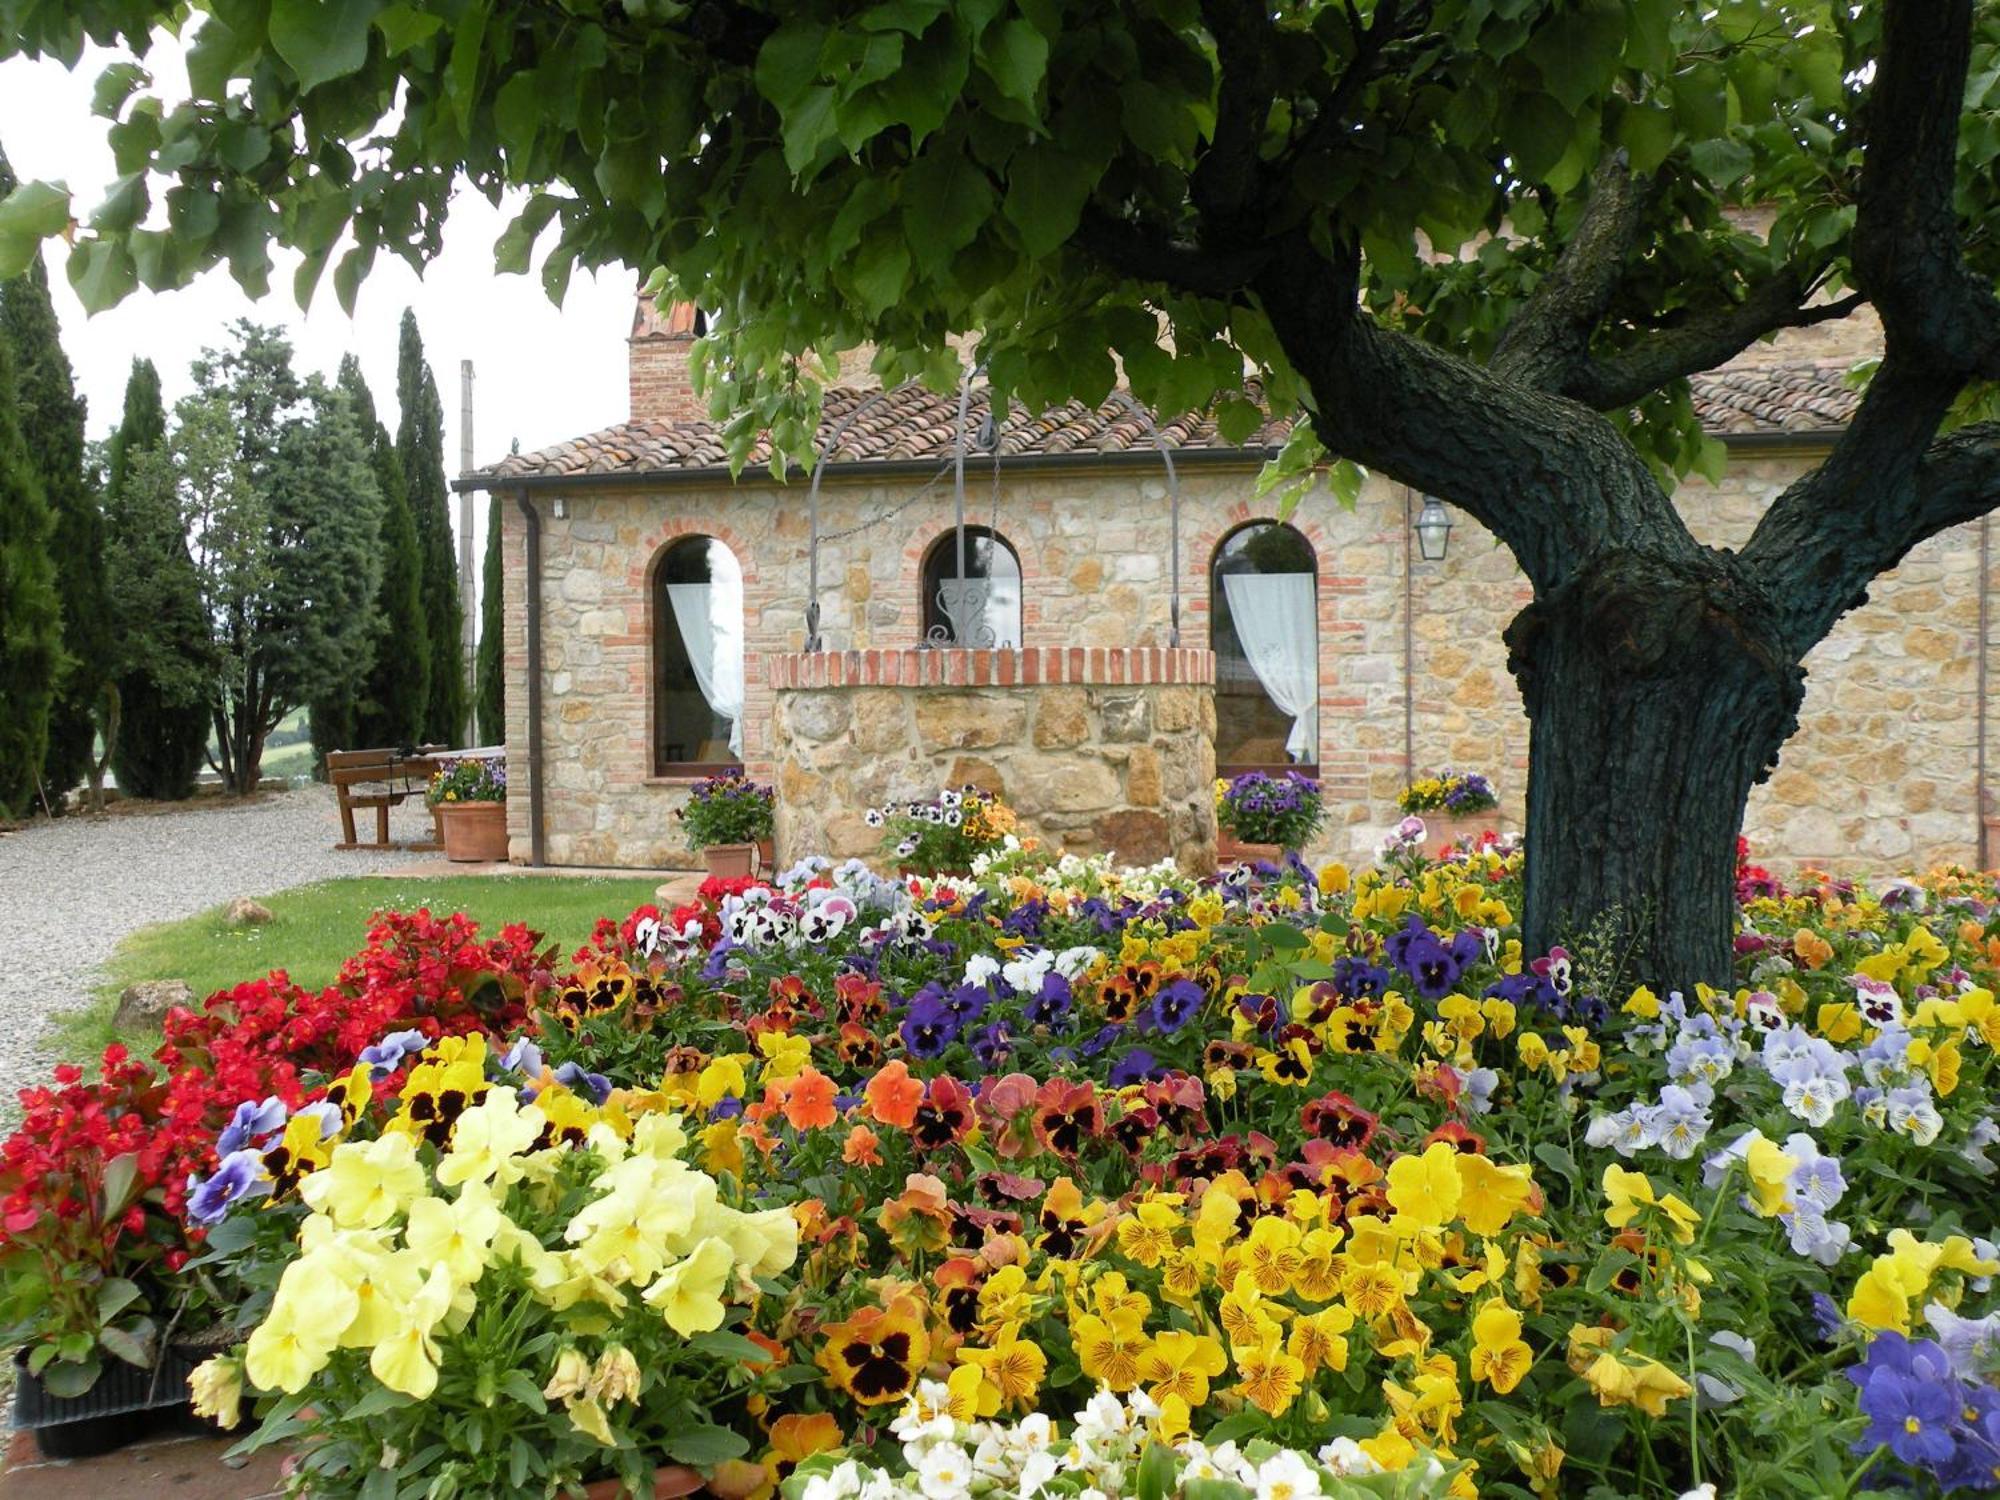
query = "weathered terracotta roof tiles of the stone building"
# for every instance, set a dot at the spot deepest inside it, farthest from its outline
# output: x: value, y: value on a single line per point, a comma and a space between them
x: 915, y: 423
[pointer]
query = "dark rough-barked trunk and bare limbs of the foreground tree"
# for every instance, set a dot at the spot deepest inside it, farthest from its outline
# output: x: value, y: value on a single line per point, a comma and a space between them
x: 1661, y: 677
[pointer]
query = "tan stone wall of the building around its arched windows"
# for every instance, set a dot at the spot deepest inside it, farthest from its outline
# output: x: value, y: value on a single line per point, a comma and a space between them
x: 1881, y: 775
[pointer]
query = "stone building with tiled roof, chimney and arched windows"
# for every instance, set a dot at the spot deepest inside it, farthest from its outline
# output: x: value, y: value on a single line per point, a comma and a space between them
x: 1137, y: 625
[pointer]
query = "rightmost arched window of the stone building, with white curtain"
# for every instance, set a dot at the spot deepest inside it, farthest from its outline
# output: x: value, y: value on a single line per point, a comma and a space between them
x: 1263, y: 607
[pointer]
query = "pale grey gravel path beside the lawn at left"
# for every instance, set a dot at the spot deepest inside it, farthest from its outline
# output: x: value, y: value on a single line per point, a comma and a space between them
x: 73, y: 889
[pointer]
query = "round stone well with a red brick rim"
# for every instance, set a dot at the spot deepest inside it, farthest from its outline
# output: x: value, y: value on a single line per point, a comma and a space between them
x: 1097, y: 749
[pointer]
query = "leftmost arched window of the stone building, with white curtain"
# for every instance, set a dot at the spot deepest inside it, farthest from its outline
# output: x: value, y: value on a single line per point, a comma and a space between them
x: 697, y: 659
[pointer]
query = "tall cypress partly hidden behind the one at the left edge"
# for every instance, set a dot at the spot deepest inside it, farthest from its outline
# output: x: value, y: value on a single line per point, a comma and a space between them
x: 51, y: 419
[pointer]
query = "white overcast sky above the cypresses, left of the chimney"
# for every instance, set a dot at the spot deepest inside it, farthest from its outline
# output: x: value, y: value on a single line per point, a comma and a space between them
x: 543, y: 375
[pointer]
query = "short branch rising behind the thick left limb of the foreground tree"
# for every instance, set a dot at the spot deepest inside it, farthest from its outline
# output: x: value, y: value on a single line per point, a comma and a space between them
x: 1549, y: 339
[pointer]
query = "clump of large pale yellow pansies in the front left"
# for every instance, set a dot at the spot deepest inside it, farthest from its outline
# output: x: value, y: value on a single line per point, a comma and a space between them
x: 549, y: 1311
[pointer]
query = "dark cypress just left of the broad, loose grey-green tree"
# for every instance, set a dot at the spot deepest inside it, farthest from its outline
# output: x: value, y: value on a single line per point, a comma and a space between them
x: 165, y: 659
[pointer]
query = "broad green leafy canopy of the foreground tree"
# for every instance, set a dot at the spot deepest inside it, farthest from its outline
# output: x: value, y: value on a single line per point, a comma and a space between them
x: 829, y: 175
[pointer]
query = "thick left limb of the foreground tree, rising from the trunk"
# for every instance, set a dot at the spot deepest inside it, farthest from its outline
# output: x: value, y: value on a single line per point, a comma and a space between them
x: 1551, y: 479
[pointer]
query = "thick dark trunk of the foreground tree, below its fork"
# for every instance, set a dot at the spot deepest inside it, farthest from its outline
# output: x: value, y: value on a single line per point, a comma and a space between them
x: 1655, y: 701
